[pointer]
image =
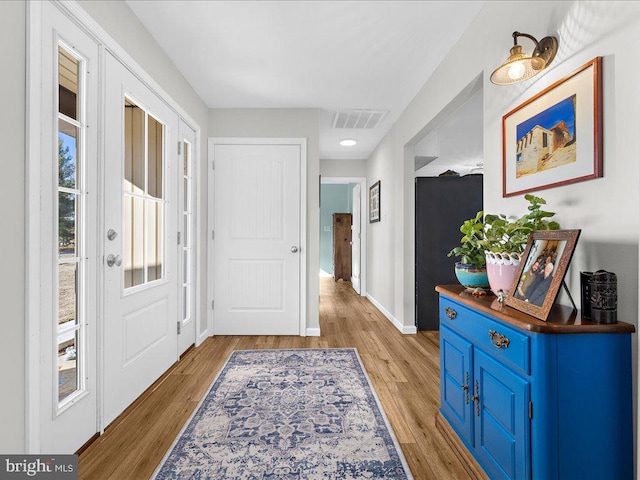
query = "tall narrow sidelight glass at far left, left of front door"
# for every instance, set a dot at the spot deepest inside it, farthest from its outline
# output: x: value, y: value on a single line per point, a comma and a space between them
x: 70, y: 226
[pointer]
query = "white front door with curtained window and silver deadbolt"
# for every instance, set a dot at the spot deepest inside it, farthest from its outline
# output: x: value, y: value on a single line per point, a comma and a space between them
x: 140, y: 237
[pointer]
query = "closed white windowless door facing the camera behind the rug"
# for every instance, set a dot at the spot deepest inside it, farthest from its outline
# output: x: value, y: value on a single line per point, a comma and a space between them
x: 257, y: 260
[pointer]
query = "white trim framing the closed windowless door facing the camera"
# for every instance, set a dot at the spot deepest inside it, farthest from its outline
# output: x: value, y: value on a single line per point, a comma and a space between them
x: 302, y: 142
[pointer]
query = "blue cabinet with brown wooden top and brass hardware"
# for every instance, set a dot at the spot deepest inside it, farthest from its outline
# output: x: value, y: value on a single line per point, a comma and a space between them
x: 536, y: 400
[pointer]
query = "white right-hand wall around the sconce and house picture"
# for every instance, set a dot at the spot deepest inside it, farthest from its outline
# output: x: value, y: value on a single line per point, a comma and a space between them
x: 607, y: 209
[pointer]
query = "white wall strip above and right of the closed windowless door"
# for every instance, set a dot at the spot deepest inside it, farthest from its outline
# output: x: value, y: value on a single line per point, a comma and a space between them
x: 284, y: 123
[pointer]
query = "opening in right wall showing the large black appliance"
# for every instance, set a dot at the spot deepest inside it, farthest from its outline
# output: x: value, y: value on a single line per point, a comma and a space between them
x: 448, y: 162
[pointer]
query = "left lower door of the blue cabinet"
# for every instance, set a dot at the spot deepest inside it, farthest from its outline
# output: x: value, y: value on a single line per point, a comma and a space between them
x: 455, y: 378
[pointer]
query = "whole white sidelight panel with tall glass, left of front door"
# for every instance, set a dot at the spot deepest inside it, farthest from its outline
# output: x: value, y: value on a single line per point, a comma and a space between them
x: 69, y: 254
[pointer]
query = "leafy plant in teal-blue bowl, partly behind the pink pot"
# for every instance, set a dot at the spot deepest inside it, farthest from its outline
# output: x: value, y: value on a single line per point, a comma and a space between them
x: 471, y: 270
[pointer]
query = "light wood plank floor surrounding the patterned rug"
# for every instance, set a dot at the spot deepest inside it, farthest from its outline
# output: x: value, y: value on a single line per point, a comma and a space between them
x: 404, y: 370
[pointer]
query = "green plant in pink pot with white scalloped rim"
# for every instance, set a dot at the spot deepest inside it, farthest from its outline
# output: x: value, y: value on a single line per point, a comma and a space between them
x: 505, y: 241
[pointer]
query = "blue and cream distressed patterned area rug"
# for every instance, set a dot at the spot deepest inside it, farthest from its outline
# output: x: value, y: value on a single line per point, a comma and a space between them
x: 286, y: 415
